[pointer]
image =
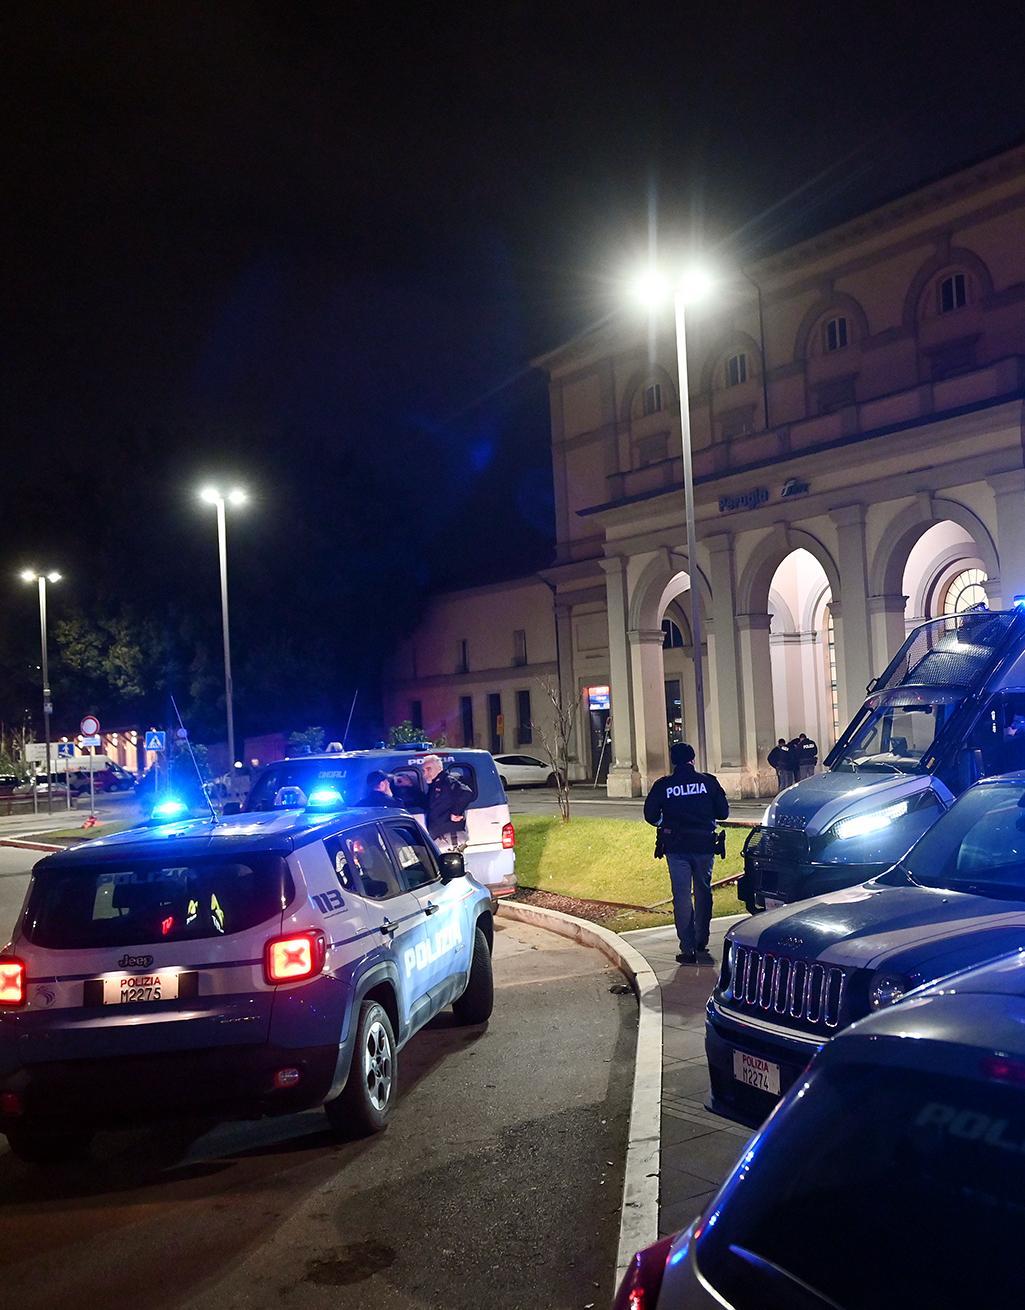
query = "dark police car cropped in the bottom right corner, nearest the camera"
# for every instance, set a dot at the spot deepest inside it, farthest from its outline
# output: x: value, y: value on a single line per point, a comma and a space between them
x: 893, y: 1174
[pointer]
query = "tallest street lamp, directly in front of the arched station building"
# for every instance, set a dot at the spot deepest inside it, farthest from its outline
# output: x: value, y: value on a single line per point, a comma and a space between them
x: 653, y: 290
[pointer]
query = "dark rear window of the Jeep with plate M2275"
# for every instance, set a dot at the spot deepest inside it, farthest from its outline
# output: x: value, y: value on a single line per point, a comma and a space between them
x: 146, y: 902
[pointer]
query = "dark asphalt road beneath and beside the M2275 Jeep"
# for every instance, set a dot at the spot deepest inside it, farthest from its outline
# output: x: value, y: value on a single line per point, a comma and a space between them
x: 497, y: 1184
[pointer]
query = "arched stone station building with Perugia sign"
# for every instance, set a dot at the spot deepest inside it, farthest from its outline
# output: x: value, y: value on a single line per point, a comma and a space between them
x: 858, y: 409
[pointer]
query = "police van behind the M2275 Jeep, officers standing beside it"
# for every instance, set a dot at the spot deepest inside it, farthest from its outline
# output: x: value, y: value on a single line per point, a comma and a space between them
x: 488, y: 840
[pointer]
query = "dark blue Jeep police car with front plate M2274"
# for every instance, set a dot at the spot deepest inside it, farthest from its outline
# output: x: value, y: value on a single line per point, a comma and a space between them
x: 794, y: 978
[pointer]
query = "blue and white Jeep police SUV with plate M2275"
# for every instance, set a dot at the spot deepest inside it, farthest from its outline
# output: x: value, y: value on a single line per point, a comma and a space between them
x: 255, y: 966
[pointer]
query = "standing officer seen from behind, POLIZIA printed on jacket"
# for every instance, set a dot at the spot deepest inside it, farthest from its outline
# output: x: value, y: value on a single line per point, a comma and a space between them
x: 685, y: 808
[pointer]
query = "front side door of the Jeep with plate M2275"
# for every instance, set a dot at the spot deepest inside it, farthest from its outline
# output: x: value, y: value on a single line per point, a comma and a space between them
x: 437, y: 957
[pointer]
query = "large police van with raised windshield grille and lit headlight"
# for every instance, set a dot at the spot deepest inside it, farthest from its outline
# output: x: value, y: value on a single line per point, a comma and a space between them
x: 950, y: 709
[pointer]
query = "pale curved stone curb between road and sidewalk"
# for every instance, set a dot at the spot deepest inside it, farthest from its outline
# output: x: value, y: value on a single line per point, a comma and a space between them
x: 639, y: 1216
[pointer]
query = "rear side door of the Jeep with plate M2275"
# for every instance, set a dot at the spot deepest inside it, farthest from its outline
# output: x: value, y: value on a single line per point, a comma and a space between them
x: 394, y: 918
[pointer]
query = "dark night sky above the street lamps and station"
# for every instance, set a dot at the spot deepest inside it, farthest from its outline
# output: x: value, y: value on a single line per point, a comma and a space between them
x: 317, y: 248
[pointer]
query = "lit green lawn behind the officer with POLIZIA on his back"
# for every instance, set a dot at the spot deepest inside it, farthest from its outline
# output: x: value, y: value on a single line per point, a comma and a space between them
x: 611, y: 860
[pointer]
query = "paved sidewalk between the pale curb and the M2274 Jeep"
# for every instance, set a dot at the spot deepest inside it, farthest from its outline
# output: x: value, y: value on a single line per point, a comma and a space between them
x: 698, y: 1148
